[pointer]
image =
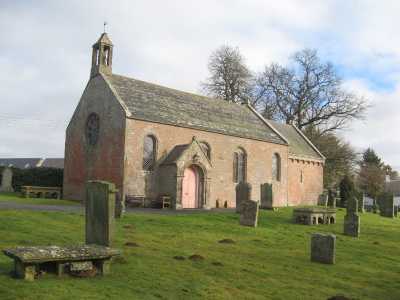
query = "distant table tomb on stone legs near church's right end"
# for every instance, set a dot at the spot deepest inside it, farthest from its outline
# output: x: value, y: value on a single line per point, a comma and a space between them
x: 314, y: 215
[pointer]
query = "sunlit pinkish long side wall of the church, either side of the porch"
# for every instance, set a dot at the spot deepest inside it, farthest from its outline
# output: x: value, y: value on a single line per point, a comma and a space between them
x: 222, y: 187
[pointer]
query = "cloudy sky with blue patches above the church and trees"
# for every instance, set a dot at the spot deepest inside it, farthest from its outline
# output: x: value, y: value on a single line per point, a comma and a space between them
x: 45, y: 53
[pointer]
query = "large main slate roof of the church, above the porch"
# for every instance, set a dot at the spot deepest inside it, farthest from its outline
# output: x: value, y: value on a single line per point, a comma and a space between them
x: 154, y: 103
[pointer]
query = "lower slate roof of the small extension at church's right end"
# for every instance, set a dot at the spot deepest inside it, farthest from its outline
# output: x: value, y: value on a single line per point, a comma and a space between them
x: 298, y: 145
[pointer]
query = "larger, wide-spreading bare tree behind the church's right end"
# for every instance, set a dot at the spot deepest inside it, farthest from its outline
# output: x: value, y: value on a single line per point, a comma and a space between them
x: 310, y: 93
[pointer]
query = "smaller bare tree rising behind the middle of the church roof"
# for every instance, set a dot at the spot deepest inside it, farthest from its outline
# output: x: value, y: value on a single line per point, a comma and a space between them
x: 230, y: 79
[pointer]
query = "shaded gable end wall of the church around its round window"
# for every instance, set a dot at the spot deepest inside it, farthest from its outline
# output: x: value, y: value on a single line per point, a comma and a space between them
x: 103, y: 161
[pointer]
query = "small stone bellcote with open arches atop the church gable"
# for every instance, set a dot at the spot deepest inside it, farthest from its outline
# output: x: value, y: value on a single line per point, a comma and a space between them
x: 102, y: 56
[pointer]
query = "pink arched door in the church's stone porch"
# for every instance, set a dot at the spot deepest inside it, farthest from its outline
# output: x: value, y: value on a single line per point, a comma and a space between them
x: 192, y: 187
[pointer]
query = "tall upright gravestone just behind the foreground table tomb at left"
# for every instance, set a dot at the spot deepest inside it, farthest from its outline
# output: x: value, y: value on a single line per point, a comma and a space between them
x: 100, y: 212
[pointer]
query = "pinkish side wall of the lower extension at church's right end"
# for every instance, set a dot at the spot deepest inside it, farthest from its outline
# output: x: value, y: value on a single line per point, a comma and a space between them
x: 308, y: 191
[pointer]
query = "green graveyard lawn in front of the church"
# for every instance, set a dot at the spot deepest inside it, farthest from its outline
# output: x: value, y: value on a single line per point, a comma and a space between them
x: 268, y: 262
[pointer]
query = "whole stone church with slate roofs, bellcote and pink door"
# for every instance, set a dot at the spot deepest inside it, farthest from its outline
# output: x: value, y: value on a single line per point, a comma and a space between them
x: 153, y: 141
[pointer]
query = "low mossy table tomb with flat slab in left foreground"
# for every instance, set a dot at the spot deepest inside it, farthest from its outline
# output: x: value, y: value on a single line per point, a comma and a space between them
x: 74, y: 260
